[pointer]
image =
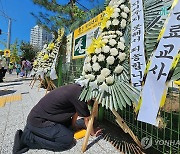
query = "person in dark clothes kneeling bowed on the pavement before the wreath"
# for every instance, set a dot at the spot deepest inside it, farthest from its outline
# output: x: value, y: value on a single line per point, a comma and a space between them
x: 49, y: 121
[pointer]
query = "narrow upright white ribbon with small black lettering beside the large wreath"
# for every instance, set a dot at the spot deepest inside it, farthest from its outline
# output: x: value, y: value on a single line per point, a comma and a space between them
x: 137, y: 58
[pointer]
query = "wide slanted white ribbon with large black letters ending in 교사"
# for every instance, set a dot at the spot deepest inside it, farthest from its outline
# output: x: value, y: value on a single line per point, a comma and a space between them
x: 162, y: 59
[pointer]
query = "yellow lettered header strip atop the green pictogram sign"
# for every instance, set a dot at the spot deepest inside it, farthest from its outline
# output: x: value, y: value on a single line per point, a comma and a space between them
x: 93, y: 23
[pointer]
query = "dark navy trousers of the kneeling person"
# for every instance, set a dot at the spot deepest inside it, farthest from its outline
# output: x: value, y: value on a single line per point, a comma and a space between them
x: 54, y: 137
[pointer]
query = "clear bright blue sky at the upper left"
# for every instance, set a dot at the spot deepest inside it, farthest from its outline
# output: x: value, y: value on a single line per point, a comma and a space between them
x: 22, y: 20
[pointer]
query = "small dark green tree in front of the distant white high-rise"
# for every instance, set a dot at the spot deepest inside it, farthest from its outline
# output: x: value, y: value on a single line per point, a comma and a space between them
x: 28, y: 51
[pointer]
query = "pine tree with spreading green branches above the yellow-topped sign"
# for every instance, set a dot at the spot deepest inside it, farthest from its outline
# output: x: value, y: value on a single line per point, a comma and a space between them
x: 69, y: 16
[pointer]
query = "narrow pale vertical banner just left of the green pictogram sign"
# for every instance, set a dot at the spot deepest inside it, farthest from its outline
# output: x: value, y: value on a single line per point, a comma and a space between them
x: 69, y: 48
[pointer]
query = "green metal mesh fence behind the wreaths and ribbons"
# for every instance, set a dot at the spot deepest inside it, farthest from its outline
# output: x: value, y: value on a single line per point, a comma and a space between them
x: 165, y: 138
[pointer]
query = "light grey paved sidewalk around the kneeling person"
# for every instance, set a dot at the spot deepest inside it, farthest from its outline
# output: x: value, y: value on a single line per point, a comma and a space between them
x: 13, y: 117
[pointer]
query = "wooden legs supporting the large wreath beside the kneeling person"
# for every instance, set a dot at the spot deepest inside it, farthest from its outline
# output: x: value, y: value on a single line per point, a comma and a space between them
x: 119, y: 120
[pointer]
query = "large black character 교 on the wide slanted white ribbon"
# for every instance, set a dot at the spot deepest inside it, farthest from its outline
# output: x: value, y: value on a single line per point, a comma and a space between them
x: 164, y: 54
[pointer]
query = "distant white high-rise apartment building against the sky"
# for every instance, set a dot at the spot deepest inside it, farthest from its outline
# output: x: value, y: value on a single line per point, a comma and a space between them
x: 39, y: 37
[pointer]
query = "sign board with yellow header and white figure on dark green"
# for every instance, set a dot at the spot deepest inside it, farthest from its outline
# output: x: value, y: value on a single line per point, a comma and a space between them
x: 83, y: 36
